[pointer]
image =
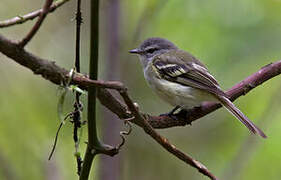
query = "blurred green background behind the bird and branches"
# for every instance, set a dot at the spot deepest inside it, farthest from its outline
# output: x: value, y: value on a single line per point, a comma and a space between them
x: 233, y: 38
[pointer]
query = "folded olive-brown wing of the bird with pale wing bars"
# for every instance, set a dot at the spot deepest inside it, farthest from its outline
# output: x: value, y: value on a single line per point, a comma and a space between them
x: 181, y: 67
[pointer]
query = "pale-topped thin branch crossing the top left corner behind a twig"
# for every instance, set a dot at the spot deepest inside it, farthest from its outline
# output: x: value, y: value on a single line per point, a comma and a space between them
x: 30, y: 16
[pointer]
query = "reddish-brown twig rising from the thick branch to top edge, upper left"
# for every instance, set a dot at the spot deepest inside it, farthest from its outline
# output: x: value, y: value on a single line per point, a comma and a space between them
x: 37, y: 25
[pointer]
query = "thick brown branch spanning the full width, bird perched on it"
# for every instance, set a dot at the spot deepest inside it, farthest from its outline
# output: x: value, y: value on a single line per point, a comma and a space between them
x: 50, y: 71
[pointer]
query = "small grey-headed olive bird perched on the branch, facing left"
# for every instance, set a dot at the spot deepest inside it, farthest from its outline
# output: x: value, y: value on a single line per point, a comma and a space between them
x: 182, y: 80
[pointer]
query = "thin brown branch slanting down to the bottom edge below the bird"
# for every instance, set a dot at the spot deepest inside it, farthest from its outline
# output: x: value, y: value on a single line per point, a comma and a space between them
x: 163, y: 141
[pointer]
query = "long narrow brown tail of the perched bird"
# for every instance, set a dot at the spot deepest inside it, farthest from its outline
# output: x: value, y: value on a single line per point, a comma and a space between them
x: 240, y: 116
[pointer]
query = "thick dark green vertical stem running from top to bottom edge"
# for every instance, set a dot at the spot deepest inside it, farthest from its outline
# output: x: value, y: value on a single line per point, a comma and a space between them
x: 93, y: 141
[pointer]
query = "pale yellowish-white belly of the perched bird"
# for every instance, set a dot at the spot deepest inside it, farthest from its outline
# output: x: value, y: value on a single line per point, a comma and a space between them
x: 179, y: 95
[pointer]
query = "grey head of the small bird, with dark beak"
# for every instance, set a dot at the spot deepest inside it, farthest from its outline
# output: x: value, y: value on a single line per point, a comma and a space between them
x: 152, y: 47
